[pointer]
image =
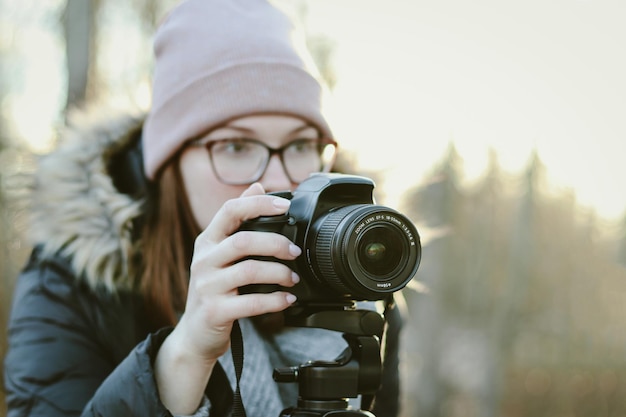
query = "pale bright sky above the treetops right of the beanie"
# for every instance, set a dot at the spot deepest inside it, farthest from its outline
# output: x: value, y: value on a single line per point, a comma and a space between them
x: 510, y: 75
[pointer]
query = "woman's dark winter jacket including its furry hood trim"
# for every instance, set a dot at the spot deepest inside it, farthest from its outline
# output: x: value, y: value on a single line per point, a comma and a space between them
x: 79, y: 341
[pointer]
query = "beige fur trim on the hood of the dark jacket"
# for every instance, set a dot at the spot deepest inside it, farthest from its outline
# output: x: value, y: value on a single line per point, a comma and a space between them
x: 76, y: 209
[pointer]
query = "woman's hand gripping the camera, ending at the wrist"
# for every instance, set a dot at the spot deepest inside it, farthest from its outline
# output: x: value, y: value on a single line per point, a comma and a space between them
x: 213, y: 301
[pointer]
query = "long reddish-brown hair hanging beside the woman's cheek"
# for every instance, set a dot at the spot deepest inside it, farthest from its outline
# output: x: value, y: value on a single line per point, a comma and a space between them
x: 168, y: 239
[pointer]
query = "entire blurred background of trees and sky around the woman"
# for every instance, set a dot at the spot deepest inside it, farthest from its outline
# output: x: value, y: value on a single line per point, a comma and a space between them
x: 497, y: 126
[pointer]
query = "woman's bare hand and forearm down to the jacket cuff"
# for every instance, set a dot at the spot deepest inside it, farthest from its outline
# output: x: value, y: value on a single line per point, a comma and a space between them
x: 187, y: 356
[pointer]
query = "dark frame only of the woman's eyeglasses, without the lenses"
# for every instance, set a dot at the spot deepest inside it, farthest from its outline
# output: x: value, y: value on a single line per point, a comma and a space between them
x: 321, y: 144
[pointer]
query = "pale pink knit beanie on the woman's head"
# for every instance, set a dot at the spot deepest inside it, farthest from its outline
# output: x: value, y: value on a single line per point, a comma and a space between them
x: 217, y: 60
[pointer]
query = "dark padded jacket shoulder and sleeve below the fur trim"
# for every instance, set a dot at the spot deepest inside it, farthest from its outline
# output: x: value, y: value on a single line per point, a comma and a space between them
x: 65, y: 340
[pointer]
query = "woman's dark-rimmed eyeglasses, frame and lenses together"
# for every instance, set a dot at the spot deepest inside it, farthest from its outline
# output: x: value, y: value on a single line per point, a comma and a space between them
x: 244, y: 161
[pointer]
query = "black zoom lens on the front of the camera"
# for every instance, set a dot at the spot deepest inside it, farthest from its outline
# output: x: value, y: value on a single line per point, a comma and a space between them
x: 364, y: 251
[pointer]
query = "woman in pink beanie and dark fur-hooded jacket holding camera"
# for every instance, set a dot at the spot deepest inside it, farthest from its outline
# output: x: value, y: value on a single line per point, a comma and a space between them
x: 128, y: 301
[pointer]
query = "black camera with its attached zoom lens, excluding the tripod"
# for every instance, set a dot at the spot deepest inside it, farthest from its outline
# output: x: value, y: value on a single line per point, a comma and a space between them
x: 353, y: 249
